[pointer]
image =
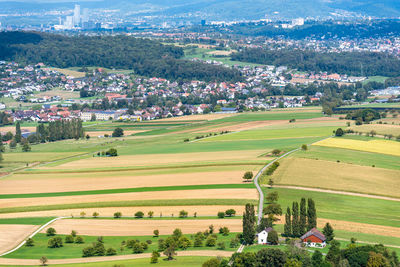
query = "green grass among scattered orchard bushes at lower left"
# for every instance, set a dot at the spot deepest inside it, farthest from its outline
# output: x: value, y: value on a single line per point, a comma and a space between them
x: 75, y: 250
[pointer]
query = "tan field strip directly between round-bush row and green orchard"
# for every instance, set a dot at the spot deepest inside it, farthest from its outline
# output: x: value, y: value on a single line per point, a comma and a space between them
x: 140, y: 227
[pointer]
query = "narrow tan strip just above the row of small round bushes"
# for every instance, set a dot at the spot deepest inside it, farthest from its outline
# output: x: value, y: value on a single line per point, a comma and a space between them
x: 208, y: 210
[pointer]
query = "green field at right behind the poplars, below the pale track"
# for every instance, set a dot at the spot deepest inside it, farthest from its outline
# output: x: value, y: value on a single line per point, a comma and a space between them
x: 343, y: 207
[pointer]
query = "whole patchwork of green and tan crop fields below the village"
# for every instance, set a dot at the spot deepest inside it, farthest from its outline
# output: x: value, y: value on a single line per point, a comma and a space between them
x: 169, y: 165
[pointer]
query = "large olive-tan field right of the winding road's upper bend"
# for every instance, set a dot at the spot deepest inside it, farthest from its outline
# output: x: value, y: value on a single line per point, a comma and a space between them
x: 338, y: 176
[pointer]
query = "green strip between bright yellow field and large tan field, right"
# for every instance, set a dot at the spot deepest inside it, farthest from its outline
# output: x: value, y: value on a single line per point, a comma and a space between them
x: 350, y: 156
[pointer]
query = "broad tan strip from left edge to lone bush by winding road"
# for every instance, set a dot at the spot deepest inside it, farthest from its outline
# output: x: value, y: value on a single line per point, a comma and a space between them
x: 65, y: 182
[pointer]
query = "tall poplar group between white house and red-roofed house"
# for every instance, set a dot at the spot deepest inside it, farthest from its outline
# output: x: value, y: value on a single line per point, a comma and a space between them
x: 298, y: 222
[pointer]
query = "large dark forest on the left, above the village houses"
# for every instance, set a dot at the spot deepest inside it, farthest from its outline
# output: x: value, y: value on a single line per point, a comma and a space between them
x: 145, y: 57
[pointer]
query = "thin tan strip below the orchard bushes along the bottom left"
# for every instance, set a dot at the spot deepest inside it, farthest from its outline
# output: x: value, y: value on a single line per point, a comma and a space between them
x: 207, y: 253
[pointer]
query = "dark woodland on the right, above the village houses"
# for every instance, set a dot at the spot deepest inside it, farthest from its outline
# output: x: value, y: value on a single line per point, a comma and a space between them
x: 350, y: 63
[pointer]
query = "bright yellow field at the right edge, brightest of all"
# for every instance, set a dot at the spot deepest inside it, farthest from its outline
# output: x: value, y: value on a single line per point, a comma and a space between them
x: 375, y: 146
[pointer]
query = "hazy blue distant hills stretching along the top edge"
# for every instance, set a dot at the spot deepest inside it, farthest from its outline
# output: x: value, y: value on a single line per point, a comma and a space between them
x: 231, y: 9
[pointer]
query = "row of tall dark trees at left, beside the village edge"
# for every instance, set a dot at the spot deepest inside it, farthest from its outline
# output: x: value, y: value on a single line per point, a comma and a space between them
x: 58, y: 130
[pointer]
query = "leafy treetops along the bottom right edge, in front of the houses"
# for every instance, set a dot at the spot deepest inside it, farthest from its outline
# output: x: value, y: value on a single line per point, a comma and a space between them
x: 352, y: 255
